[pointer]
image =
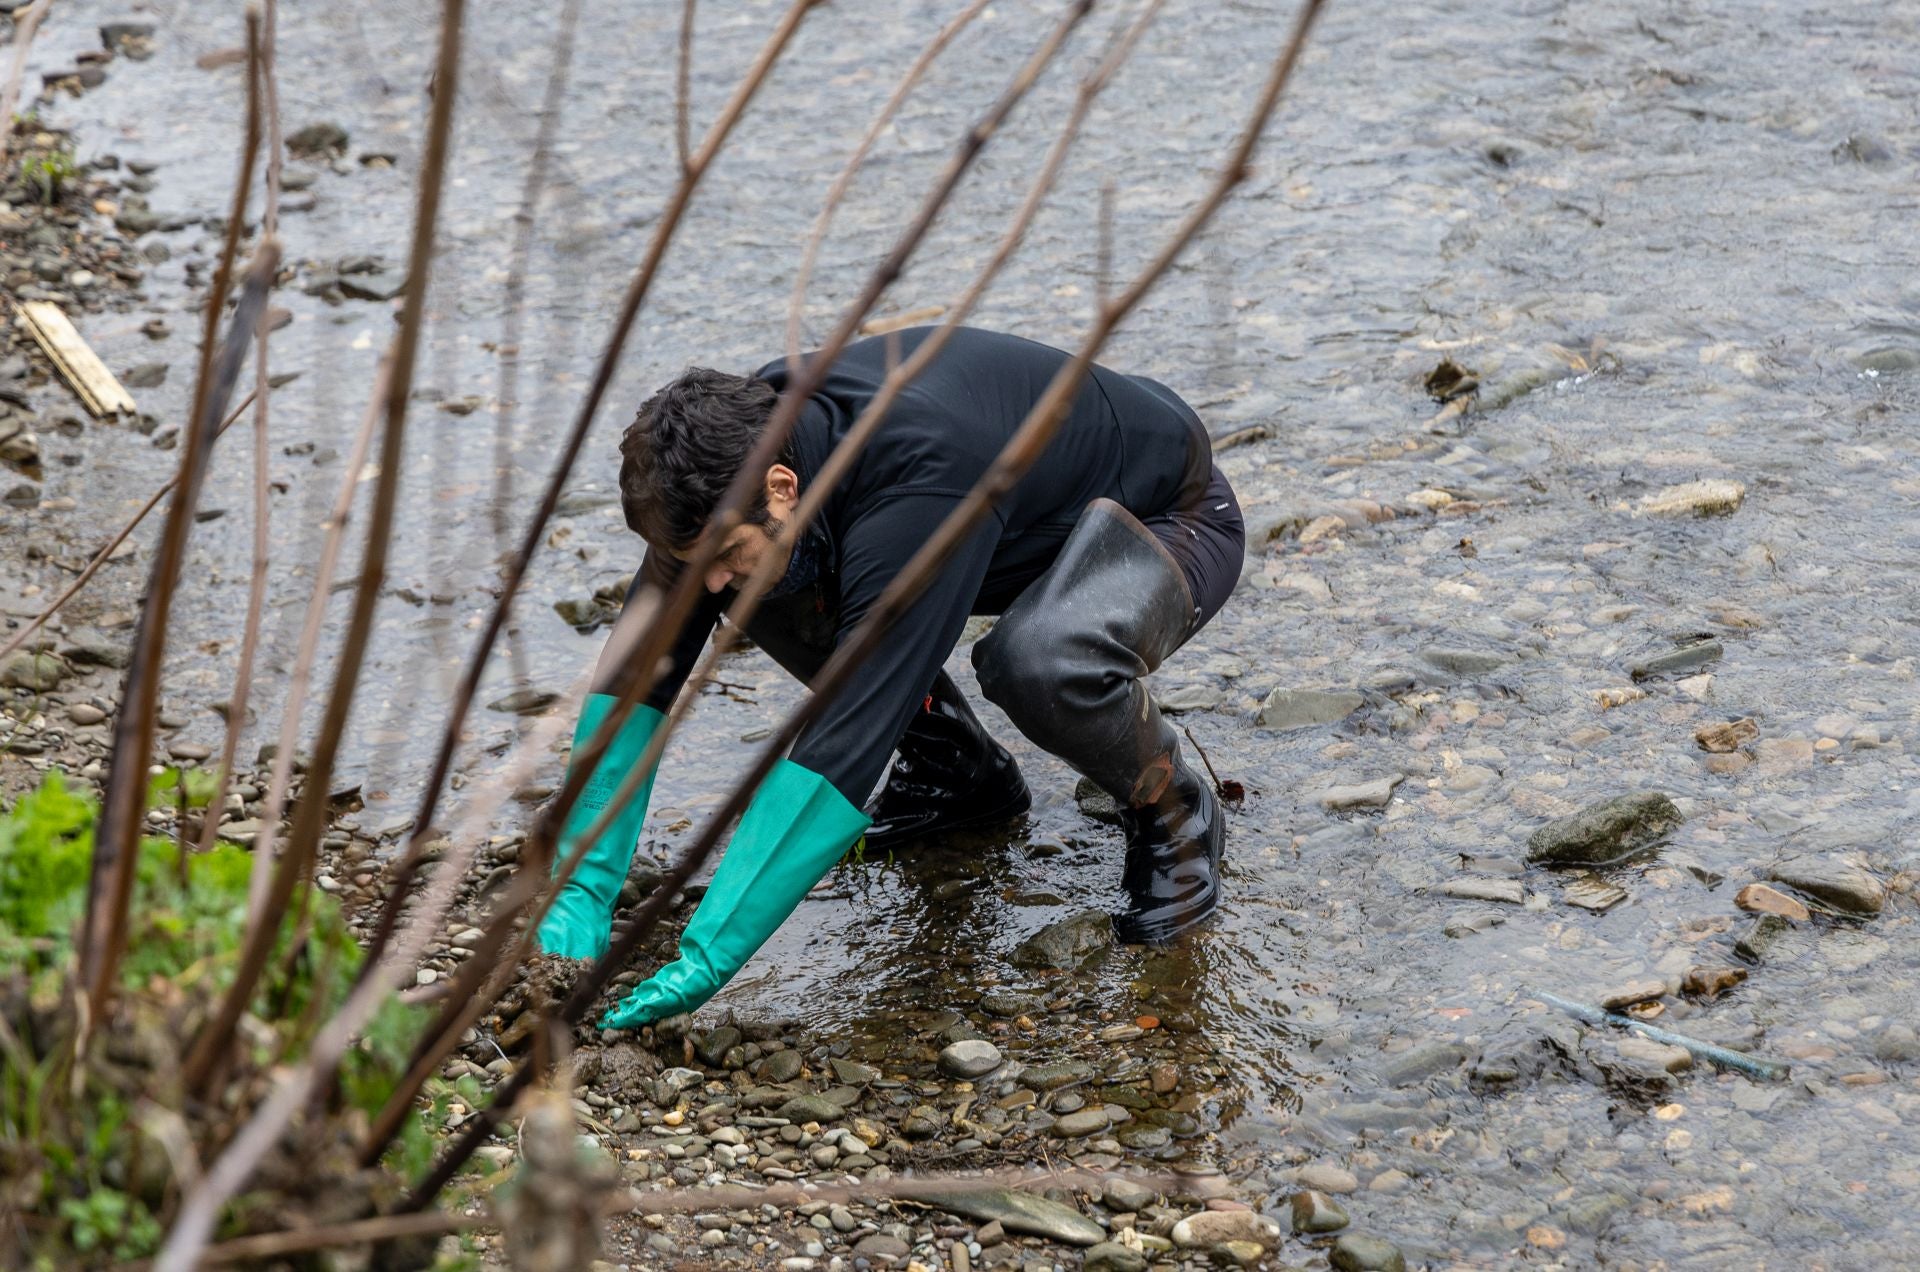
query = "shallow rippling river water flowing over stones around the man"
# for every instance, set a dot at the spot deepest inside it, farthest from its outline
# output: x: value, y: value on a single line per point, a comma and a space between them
x: 1677, y: 235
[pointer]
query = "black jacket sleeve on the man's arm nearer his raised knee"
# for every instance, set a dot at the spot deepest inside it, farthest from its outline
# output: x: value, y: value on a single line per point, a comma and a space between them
x: 852, y: 741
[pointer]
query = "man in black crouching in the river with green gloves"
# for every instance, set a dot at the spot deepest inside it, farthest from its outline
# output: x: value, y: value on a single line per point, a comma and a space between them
x: 1109, y: 556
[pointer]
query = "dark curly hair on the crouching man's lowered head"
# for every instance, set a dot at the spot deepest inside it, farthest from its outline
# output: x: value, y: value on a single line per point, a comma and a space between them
x: 684, y: 449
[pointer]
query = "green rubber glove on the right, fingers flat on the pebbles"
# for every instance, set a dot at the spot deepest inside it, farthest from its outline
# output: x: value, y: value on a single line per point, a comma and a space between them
x: 792, y: 835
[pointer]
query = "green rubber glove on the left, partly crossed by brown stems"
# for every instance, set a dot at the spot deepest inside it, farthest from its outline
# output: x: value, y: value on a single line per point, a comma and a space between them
x: 581, y: 919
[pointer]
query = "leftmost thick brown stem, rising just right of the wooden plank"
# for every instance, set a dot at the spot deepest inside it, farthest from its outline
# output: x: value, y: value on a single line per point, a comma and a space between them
x: 124, y: 802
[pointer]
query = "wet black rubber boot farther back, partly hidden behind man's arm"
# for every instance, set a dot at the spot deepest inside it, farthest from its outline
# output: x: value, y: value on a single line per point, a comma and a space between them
x: 948, y: 775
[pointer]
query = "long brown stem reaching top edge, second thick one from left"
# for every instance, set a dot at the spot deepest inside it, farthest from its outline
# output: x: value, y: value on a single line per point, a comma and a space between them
x: 310, y: 814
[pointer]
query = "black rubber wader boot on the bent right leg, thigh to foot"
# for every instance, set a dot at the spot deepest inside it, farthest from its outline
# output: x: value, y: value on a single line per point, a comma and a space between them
x: 1067, y: 664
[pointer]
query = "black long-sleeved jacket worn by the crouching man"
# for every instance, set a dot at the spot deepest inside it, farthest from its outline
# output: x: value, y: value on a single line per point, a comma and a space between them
x: 1126, y: 439
